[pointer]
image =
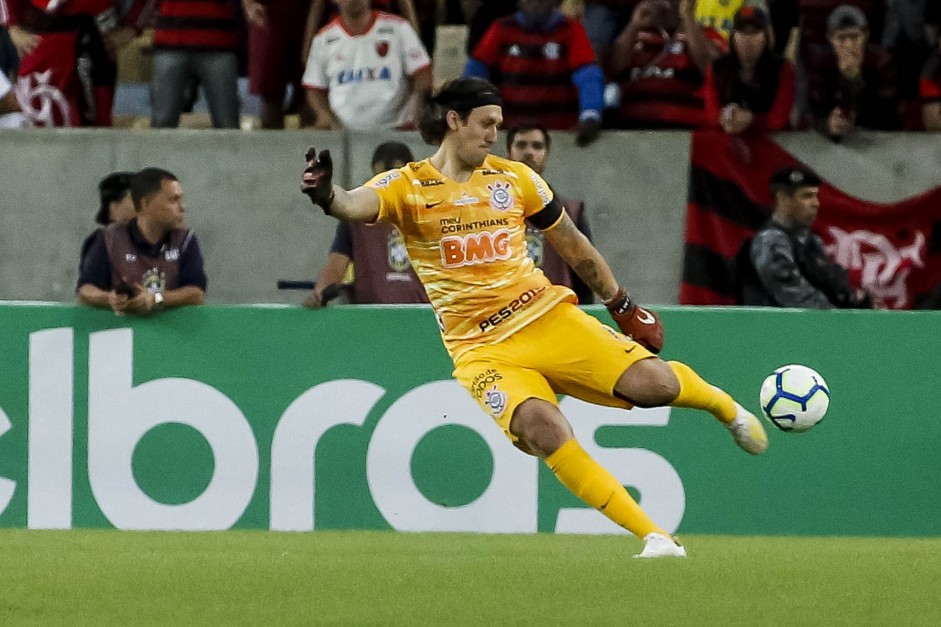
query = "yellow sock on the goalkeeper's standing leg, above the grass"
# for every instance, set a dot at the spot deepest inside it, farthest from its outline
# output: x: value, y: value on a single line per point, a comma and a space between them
x: 590, y: 482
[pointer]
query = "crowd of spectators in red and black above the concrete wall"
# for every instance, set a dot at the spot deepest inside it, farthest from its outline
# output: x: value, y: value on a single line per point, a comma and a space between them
x: 582, y: 65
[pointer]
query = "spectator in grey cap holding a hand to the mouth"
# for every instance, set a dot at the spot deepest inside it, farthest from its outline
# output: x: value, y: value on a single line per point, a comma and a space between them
x: 856, y: 86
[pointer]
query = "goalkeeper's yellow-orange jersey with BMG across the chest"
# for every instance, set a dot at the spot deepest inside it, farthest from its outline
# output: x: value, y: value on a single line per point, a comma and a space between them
x: 467, y: 244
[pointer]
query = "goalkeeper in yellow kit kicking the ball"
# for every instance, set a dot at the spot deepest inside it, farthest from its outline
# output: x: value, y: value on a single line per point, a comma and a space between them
x: 517, y: 340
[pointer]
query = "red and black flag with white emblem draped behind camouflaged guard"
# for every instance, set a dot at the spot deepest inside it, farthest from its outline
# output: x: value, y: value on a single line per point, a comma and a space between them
x: 892, y: 250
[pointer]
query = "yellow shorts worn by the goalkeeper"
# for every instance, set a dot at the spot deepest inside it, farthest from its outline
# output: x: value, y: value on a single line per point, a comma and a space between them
x: 565, y: 351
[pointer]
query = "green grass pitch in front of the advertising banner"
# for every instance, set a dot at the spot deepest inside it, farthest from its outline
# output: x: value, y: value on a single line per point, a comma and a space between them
x: 386, y: 578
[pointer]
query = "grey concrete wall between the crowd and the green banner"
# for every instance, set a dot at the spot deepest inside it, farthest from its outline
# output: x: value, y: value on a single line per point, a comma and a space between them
x: 243, y: 202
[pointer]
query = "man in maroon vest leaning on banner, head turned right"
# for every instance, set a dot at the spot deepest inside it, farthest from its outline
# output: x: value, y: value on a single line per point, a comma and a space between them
x: 150, y: 262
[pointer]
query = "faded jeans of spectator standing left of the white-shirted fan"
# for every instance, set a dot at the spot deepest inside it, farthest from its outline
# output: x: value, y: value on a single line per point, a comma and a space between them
x: 217, y: 73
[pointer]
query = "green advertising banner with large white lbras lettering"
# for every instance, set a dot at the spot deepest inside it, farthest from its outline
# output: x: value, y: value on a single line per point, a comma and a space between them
x: 347, y: 418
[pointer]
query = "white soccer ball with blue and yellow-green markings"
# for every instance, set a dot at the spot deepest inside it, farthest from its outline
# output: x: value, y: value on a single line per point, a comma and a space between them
x: 794, y: 398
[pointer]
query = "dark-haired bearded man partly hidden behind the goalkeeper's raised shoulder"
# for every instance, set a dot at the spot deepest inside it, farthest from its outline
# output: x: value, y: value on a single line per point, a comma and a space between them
x: 530, y: 145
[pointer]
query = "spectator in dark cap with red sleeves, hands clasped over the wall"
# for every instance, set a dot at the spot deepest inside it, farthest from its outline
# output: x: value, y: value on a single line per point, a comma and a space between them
x: 750, y: 88
